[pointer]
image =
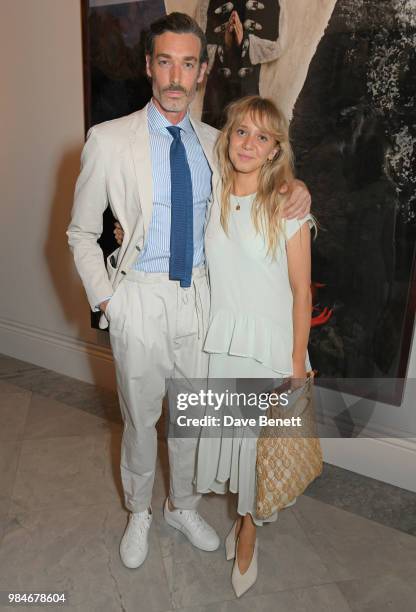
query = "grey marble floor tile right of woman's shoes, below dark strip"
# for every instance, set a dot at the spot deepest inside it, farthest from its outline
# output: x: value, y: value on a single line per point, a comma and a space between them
x: 353, y: 547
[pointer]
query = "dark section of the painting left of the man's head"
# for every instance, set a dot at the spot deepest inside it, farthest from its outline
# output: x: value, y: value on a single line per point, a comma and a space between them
x: 115, y: 77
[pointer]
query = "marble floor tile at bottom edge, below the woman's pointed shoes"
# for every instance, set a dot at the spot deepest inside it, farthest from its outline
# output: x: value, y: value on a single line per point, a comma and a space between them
x: 321, y: 598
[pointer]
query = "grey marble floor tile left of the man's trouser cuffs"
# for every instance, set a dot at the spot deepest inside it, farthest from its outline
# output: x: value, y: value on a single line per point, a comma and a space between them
x: 66, y: 472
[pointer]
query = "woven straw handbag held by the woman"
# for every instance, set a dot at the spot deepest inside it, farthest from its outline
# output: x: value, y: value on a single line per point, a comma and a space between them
x: 288, y: 458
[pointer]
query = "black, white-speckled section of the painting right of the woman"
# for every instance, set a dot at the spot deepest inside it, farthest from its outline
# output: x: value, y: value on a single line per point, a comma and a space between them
x: 354, y: 132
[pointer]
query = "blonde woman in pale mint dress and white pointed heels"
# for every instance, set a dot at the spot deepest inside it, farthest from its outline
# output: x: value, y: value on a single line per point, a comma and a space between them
x: 259, y: 267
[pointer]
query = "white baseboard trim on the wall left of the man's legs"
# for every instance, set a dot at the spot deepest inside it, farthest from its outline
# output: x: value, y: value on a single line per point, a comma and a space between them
x: 85, y: 361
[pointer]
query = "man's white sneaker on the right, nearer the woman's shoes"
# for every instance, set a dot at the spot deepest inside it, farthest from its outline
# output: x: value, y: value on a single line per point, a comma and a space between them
x: 193, y: 526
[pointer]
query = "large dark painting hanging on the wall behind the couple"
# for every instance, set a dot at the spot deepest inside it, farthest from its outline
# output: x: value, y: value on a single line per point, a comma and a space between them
x: 343, y: 71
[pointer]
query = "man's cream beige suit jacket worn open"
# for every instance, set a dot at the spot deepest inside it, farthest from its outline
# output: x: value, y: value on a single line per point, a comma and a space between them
x: 116, y: 170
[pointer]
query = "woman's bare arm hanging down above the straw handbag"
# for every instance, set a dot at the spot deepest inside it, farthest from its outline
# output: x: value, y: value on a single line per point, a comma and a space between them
x: 298, y: 249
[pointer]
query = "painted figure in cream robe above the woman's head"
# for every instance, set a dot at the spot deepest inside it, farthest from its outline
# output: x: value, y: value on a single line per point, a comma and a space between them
x: 257, y: 47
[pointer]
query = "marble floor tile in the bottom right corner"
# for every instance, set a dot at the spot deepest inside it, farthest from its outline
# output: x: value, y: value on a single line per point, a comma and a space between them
x: 387, y: 593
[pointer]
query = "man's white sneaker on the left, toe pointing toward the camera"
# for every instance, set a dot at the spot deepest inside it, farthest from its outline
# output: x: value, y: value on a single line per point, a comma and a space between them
x: 134, y: 544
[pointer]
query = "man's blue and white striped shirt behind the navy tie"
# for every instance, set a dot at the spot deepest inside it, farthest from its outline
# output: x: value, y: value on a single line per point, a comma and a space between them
x: 156, y: 251
